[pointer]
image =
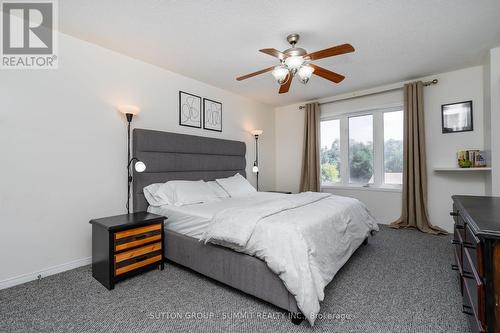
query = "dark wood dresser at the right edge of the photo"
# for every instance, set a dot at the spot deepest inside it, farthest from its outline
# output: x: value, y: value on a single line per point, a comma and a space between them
x: 476, y: 242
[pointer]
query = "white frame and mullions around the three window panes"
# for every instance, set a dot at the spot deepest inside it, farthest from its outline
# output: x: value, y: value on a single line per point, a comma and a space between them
x: 378, y: 149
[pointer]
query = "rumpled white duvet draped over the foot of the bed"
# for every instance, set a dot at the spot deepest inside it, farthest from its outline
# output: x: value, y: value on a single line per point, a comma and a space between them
x: 304, y: 238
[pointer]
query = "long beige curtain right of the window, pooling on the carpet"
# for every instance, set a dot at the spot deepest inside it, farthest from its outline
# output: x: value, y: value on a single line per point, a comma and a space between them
x: 414, y: 213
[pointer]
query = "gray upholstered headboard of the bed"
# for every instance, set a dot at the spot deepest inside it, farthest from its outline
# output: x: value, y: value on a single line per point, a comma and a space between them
x: 173, y: 156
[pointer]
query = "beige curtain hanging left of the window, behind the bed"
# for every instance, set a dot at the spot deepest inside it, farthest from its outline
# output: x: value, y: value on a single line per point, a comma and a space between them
x: 309, y: 178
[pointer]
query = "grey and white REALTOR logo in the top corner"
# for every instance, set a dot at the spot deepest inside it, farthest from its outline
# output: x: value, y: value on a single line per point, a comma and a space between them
x: 28, y: 34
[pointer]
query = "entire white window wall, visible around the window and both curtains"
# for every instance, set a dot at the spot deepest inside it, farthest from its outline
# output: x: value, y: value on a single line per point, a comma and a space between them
x: 461, y: 85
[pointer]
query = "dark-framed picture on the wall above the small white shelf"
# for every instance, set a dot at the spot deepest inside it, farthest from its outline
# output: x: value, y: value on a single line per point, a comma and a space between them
x: 457, y: 117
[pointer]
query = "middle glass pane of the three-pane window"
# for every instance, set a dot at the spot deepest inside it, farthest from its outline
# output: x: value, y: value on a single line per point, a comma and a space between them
x: 361, y: 149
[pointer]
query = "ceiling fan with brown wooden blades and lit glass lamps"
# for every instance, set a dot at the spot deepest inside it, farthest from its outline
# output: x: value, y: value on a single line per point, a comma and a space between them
x: 296, y: 61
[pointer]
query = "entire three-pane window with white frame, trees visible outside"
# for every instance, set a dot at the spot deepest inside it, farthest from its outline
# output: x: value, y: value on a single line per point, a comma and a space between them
x: 370, y: 143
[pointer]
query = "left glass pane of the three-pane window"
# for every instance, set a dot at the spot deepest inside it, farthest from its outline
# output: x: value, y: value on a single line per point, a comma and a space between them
x: 330, y: 151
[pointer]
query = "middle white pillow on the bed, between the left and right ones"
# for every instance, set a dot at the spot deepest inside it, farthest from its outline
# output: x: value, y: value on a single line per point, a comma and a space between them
x: 190, y: 192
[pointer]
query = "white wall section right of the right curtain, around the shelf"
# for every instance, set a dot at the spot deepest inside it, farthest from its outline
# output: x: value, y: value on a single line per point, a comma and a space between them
x: 457, y: 86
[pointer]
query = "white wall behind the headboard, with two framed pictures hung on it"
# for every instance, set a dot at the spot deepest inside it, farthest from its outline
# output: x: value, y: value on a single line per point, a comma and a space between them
x: 63, y: 147
